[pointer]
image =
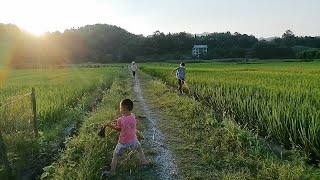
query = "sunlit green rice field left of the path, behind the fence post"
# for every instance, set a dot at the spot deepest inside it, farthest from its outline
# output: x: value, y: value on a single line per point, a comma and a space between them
x: 61, y: 96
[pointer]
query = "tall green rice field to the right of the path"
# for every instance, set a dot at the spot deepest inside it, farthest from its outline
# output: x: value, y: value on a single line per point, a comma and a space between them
x: 280, y: 101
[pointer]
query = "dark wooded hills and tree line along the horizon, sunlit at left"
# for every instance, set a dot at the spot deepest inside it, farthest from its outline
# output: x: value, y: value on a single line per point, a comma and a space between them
x: 102, y: 43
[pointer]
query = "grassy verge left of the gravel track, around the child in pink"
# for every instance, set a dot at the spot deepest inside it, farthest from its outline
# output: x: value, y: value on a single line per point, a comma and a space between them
x: 86, y: 155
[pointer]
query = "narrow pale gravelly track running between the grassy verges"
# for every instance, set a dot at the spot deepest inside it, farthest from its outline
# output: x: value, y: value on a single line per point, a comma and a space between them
x: 154, y: 137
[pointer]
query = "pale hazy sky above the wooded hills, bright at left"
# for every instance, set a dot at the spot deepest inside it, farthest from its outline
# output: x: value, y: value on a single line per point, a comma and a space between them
x: 261, y: 18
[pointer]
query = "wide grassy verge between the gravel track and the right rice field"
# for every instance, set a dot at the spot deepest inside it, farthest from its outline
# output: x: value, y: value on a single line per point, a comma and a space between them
x: 209, y: 146
